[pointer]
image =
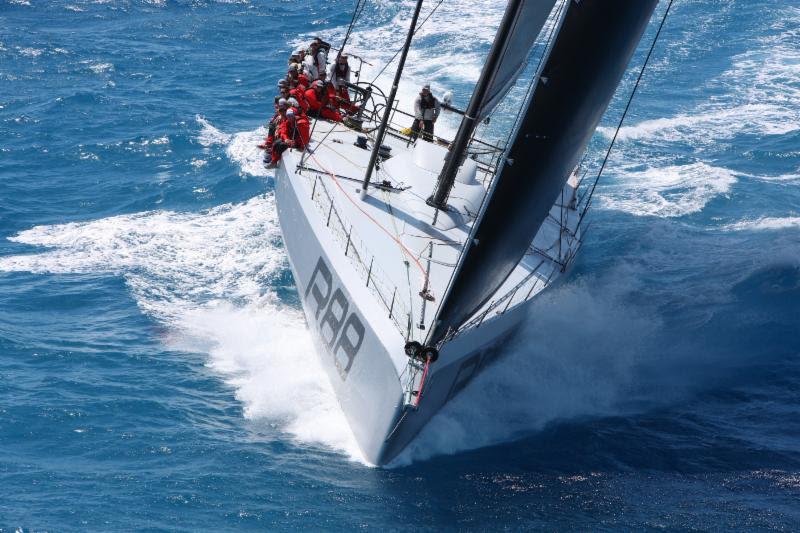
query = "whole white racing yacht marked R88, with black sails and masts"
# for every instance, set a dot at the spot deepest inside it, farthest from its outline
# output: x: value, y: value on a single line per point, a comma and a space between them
x: 416, y: 259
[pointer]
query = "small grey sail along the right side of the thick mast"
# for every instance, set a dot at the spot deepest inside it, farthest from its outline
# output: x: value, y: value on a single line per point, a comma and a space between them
x: 528, y: 18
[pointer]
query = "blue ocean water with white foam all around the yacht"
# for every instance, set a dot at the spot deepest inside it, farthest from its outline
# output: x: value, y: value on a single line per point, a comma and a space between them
x: 156, y: 370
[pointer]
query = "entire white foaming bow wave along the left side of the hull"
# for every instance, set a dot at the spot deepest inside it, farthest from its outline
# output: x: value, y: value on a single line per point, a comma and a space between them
x: 208, y: 277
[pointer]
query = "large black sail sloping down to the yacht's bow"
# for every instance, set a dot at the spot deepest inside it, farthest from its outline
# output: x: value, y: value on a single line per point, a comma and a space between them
x: 574, y: 87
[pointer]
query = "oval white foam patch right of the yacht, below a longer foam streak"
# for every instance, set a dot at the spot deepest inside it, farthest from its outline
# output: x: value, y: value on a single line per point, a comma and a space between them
x: 670, y: 191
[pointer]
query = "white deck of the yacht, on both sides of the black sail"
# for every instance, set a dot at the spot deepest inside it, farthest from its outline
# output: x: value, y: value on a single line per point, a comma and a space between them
x: 402, y: 249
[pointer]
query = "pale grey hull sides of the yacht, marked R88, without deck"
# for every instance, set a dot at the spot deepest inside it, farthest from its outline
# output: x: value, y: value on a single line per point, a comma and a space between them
x: 369, y: 385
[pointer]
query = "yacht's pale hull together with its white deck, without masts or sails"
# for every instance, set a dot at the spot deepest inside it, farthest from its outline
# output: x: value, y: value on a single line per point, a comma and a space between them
x: 360, y: 331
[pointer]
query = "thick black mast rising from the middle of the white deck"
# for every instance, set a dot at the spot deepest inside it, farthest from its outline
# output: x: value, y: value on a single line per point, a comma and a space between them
x: 470, y: 121
